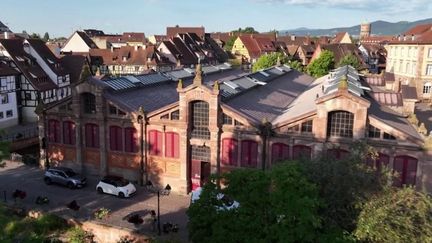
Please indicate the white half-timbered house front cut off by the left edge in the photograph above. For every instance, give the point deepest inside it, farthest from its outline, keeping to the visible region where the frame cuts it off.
(8, 98)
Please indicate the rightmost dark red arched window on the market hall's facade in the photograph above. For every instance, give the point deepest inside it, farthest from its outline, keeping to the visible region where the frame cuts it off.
(406, 167)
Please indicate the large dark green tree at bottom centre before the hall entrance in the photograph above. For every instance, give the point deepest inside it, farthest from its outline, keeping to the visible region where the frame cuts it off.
(277, 205)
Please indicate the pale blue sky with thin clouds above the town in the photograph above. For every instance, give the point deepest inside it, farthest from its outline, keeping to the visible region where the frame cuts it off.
(62, 17)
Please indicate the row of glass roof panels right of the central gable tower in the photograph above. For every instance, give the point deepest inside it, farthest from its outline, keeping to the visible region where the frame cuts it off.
(236, 86)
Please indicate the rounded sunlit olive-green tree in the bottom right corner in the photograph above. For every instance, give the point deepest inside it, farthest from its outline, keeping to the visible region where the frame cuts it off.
(398, 215)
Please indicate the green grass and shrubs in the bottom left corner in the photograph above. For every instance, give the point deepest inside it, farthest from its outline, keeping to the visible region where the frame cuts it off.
(47, 228)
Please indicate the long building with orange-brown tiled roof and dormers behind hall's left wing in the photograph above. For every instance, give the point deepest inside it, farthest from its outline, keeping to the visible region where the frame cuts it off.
(128, 60)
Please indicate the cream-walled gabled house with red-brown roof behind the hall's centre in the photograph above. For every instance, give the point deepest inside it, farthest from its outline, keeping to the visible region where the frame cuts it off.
(249, 48)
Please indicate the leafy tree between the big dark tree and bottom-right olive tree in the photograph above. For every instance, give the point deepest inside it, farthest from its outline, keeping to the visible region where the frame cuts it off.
(345, 184)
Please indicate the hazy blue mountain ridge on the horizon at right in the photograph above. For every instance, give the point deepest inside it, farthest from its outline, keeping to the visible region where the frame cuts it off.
(378, 28)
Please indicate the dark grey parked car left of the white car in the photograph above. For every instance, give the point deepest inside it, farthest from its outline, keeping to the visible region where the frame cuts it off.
(64, 176)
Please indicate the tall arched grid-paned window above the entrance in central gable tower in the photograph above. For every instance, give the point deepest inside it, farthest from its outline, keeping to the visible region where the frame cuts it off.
(200, 119)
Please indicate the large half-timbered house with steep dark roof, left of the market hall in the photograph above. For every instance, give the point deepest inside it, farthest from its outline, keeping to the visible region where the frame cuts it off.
(43, 76)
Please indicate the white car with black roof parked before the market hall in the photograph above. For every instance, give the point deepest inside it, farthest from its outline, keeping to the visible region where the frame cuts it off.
(117, 186)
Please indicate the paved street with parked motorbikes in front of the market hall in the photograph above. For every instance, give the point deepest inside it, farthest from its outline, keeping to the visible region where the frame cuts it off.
(30, 179)
